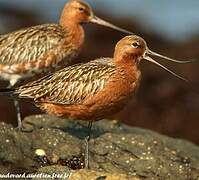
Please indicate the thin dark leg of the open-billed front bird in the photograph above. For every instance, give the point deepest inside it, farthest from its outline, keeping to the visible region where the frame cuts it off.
(87, 138)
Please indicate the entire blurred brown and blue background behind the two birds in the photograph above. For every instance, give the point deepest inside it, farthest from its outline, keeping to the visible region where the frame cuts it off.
(163, 103)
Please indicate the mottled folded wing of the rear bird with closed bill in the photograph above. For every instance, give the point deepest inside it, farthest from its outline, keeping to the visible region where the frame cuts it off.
(30, 44)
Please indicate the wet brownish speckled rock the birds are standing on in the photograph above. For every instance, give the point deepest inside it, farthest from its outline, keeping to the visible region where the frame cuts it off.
(116, 151)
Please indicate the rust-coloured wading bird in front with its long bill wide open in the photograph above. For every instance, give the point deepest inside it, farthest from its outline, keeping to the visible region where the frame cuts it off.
(94, 90)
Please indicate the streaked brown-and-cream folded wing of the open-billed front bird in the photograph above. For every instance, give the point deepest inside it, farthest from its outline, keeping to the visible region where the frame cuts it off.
(71, 85)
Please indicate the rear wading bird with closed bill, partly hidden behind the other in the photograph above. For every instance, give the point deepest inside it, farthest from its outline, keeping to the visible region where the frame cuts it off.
(45, 48)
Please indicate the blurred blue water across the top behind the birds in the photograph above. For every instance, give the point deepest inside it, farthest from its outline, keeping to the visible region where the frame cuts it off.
(176, 20)
